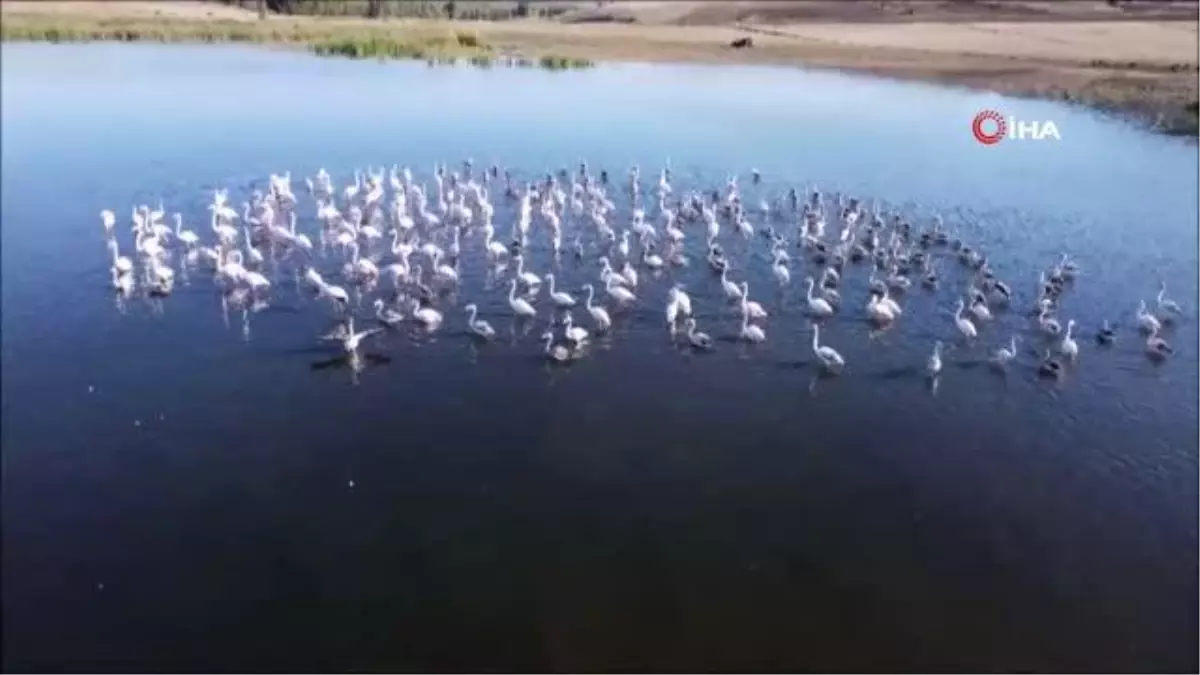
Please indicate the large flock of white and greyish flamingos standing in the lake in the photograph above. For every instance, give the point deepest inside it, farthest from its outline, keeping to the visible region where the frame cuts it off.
(385, 235)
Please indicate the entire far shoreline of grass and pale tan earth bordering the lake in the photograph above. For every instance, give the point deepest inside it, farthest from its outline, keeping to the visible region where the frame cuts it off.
(1145, 73)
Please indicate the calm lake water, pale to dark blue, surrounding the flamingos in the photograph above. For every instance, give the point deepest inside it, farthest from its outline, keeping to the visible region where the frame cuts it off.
(178, 495)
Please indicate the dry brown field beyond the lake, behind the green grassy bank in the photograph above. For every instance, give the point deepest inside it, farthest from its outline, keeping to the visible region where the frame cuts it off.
(1141, 57)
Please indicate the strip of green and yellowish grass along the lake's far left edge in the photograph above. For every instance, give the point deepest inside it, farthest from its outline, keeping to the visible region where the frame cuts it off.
(431, 44)
